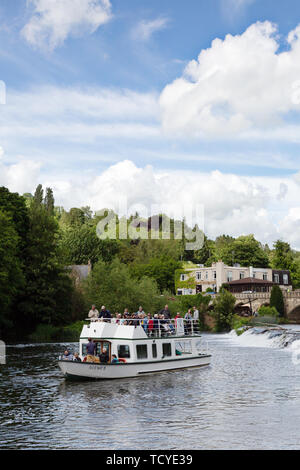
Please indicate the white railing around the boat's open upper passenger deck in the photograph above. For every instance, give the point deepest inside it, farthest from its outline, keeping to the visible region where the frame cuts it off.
(156, 327)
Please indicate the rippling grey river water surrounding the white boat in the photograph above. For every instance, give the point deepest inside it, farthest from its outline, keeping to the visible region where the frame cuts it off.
(249, 398)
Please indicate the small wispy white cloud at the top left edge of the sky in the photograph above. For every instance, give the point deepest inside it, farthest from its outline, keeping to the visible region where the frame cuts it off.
(54, 20)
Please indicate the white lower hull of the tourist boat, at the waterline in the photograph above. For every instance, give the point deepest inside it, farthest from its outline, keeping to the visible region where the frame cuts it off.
(85, 370)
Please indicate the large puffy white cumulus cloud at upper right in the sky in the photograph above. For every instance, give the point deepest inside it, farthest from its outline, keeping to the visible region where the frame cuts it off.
(238, 86)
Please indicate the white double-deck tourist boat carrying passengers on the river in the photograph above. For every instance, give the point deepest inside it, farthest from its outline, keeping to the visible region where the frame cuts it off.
(175, 345)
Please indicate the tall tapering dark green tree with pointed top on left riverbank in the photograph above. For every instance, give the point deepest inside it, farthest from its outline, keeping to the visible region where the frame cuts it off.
(46, 295)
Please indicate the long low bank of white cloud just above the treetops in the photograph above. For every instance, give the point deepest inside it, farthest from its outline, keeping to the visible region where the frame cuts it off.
(233, 205)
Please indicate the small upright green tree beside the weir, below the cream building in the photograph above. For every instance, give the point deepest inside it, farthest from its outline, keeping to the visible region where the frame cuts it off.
(223, 310)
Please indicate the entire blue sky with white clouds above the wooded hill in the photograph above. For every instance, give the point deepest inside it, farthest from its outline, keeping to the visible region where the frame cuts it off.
(159, 103)
